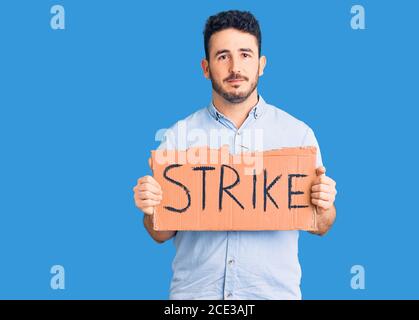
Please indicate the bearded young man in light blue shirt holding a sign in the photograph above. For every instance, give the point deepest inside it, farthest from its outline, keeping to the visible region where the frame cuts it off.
(238, 264)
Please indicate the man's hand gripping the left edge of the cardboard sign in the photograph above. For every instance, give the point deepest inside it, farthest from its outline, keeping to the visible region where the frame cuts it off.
(147, 194)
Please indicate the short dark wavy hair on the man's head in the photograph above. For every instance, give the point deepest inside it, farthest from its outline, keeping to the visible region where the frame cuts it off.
(240, 20)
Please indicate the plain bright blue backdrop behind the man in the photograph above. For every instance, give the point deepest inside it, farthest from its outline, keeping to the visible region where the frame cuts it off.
(79, 109)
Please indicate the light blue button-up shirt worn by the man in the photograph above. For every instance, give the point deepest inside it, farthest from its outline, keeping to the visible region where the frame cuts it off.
(238, 264)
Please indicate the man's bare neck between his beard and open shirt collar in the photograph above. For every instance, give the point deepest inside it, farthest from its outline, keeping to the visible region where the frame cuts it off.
(236, 112)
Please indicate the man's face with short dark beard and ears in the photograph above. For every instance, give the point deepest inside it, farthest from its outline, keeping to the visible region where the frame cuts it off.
(234, 65)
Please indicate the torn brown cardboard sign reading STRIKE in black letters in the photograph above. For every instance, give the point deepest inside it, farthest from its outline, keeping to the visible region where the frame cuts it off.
(210, 189)
